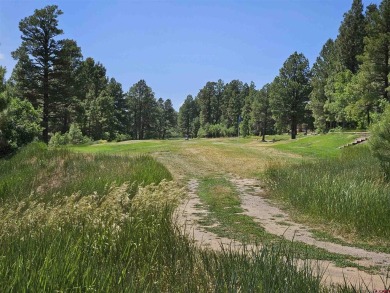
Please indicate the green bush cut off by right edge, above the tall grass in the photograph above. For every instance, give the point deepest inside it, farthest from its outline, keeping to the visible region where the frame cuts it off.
(380, 142)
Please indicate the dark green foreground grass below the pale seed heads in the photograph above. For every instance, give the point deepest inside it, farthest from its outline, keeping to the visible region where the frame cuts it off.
(147, 255)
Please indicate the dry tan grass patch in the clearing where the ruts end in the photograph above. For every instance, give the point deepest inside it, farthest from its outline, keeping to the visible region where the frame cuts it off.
(201, 158)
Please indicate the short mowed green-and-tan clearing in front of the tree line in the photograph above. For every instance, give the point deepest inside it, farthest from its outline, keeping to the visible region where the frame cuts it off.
(244, 157)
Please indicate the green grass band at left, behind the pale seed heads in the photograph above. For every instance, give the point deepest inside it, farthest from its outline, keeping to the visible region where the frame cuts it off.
(35, 170)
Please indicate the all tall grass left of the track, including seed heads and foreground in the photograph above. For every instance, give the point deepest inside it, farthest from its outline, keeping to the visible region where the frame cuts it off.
(116, 239)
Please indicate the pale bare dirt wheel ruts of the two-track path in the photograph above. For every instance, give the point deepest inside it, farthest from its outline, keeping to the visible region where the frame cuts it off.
(277, 222)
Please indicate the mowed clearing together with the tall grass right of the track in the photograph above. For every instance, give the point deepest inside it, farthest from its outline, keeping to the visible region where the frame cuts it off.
(322, 184)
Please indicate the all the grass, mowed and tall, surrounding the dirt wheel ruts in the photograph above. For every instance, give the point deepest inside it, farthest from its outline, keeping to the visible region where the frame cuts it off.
(99, 217)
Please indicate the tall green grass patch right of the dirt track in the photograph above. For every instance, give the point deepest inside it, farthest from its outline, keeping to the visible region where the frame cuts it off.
(349, 190)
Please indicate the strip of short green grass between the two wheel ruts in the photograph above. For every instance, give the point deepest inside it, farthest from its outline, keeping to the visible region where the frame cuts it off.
(223, 202)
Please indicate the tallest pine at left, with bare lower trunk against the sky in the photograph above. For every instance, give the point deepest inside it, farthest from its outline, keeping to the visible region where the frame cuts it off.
(35, 59)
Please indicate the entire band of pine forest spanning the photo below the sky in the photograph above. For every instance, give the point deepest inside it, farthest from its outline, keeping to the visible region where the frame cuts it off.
(56, 95)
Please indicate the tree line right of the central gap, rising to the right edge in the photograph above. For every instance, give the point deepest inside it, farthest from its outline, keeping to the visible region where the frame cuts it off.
(348, 87)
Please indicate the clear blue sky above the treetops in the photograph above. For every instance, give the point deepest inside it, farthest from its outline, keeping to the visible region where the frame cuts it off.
(177, 46)
